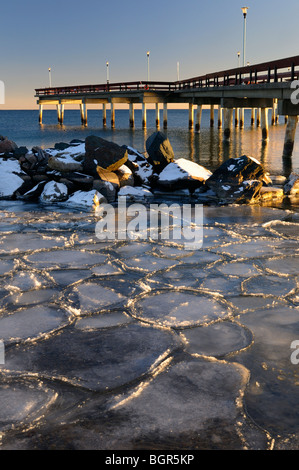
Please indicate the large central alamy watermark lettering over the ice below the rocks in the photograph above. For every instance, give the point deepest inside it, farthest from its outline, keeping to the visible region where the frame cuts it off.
(182, 223)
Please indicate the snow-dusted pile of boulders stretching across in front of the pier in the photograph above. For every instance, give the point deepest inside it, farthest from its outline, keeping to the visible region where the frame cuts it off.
(85, 173)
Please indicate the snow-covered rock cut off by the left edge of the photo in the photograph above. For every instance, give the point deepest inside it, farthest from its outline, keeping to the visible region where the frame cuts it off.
(10, 179)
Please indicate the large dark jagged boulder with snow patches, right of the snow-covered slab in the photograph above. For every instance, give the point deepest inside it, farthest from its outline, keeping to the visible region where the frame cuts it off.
(236, 170)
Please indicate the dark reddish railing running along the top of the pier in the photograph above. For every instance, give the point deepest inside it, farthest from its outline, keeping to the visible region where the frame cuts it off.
(276, 71)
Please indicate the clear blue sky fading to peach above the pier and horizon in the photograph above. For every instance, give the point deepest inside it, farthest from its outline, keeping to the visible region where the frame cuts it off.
(76, 38)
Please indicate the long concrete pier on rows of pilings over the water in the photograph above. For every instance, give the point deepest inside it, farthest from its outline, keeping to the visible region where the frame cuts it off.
(260, 87)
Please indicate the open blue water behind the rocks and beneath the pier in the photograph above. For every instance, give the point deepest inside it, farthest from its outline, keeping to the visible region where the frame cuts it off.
(206, 147)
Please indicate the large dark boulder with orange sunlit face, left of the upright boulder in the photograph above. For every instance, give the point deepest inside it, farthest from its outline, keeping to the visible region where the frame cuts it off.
(102, 153)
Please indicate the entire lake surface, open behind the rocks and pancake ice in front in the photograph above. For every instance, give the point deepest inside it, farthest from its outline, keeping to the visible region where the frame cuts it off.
(143, 344)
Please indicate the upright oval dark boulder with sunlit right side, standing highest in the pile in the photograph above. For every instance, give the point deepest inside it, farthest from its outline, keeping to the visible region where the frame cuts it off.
(159, 150)
